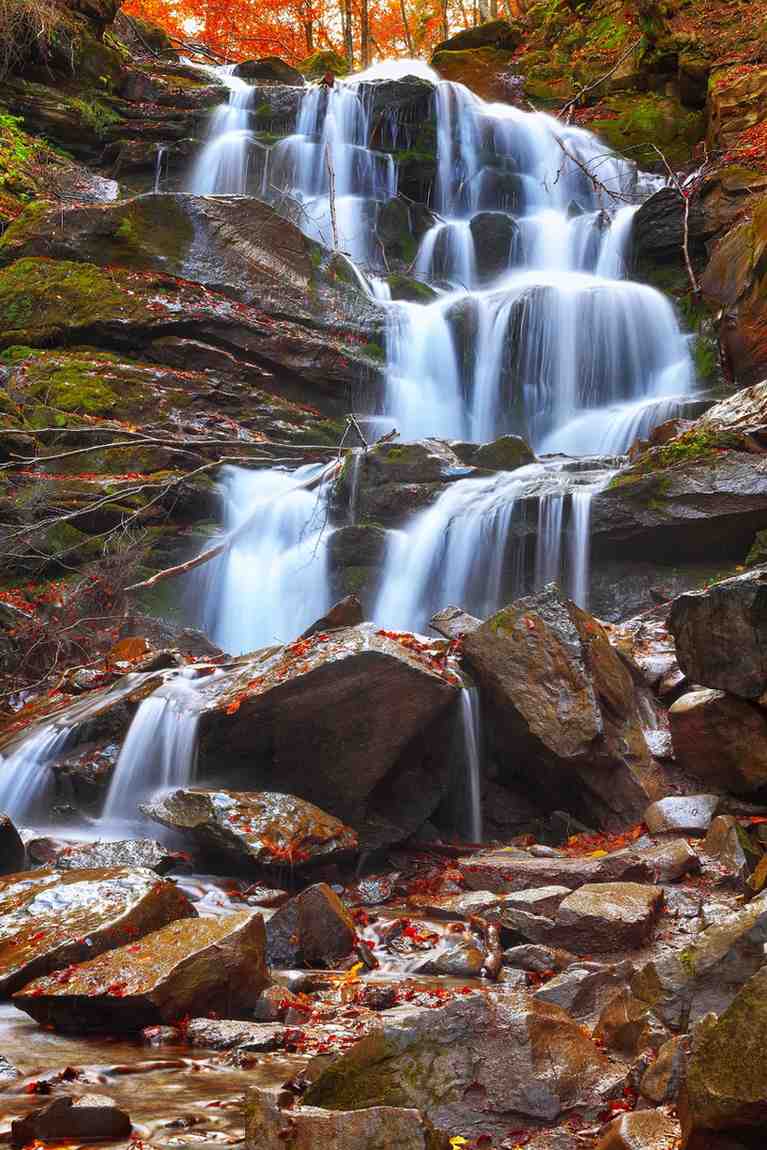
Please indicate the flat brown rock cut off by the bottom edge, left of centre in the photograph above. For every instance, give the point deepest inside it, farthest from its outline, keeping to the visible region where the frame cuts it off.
(267, 1128)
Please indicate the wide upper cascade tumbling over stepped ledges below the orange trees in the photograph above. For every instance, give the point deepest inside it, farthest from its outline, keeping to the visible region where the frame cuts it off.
(536, 329)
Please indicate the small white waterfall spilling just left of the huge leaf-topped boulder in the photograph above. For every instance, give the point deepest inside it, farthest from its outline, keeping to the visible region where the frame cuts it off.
(159, 752)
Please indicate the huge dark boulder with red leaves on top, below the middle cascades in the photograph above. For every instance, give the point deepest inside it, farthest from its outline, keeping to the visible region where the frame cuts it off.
(364, 708)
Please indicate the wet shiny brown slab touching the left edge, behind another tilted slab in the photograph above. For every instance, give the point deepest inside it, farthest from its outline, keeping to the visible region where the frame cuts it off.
(50, 921)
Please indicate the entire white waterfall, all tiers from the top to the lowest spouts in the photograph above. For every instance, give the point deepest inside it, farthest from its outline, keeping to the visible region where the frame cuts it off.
(534, 329)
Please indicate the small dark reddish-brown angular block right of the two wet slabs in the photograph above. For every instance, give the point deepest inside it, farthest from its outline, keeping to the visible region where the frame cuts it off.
(315, 930)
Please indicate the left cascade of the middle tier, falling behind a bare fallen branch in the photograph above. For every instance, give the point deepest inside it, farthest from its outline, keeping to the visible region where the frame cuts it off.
(273, 582)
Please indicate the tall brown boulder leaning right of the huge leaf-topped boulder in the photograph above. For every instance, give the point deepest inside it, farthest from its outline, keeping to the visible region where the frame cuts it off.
(563, 703)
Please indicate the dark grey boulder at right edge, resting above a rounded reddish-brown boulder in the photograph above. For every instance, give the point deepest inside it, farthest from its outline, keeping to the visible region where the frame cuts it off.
(722, 634)
